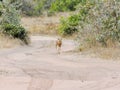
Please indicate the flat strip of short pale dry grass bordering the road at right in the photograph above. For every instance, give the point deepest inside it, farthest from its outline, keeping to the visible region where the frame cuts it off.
(109, 53)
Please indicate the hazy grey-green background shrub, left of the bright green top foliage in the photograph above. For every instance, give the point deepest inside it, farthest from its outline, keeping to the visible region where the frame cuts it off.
(35, 7)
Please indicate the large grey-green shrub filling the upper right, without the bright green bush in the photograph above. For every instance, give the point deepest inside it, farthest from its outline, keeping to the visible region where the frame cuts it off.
(100, 23)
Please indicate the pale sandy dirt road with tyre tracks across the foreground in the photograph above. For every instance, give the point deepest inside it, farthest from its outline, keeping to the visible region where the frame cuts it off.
(39, 67)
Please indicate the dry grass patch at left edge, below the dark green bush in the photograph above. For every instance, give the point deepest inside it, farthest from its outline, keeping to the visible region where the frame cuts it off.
(7, 42)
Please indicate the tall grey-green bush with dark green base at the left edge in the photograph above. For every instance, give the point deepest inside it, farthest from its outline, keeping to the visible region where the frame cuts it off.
(10, 23)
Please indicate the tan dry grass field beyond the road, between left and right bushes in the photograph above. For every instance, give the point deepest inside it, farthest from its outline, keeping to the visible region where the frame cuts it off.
(41, 25)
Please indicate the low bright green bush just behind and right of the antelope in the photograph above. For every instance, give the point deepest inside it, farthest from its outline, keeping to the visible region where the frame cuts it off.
(69, 26)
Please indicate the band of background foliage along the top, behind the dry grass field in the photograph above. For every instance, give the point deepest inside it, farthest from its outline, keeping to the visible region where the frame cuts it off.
(38, 7)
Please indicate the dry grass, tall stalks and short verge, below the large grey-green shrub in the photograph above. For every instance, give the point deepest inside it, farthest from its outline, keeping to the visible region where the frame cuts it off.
(93, 48)
